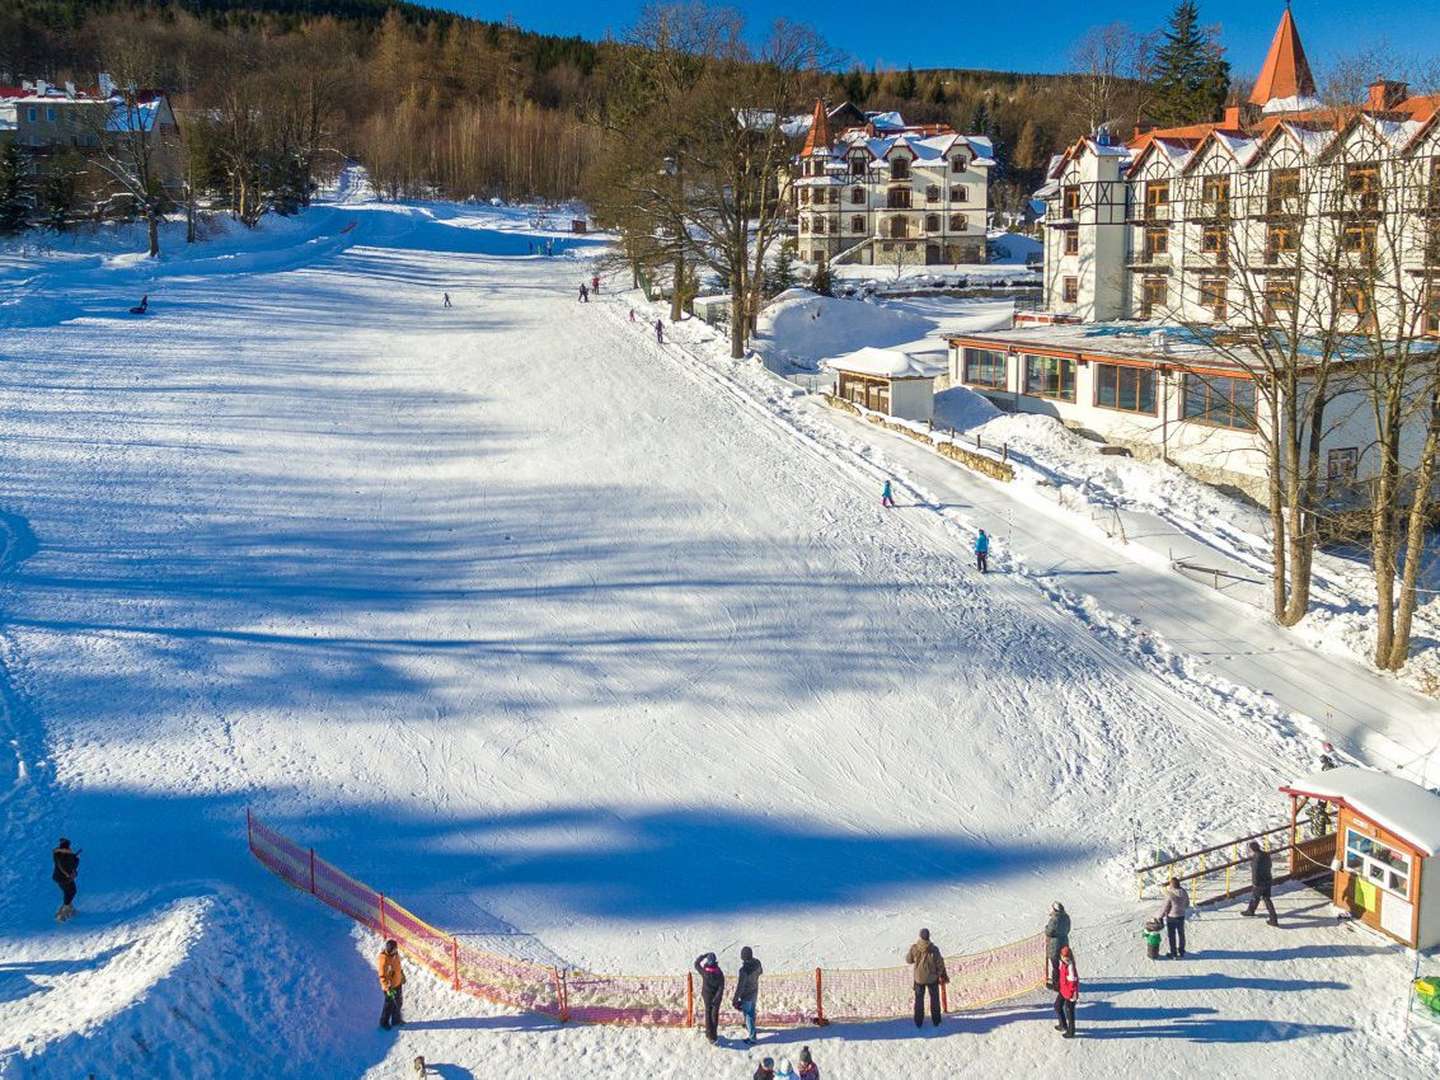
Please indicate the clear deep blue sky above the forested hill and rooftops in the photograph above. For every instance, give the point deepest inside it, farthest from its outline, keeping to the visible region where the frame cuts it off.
(1032, 37)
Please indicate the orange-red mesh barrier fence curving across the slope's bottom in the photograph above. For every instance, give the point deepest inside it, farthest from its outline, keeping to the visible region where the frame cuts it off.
(787, 999)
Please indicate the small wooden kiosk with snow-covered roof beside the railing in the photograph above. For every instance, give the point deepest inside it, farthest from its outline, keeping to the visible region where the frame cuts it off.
(1386, 868)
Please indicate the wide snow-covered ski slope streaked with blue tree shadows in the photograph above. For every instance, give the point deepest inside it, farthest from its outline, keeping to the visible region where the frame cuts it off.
(571, 643)
